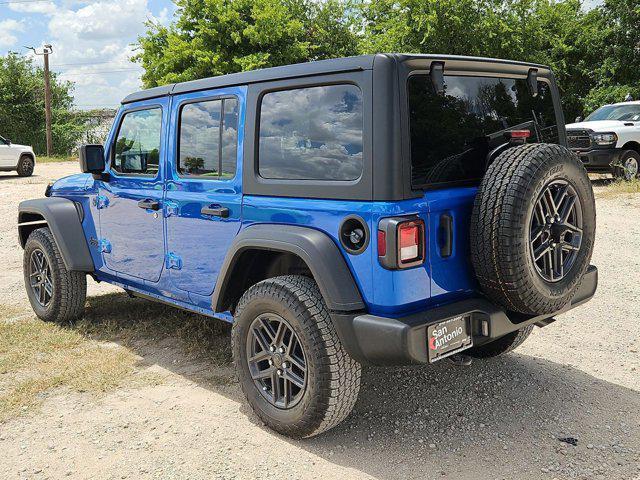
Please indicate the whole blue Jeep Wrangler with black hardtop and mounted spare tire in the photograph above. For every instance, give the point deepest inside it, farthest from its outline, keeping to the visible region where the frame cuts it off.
(385, 209)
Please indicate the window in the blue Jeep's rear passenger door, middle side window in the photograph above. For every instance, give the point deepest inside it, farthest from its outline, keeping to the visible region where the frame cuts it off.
(209, 139)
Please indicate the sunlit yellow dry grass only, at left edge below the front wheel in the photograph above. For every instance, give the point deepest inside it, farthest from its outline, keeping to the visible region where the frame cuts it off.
(37, 357)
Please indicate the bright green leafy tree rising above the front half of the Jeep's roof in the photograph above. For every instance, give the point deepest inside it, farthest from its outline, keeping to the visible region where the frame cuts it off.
(216, 37)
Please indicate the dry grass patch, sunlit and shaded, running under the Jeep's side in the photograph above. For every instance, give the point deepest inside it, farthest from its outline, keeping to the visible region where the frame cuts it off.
(96, 354)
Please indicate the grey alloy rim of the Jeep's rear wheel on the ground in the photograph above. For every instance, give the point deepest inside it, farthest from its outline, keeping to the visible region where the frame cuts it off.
(276, 361)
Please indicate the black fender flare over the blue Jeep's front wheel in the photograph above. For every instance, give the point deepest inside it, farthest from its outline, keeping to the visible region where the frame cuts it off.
(63, 219)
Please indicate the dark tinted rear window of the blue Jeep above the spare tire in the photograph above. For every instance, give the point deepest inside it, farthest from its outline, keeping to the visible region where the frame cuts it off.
(452, 134)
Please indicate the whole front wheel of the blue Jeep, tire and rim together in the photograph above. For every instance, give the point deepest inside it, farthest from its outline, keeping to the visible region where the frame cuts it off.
(55, 294)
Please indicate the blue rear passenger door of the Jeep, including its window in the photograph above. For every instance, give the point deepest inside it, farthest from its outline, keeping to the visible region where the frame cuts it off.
(203, 200)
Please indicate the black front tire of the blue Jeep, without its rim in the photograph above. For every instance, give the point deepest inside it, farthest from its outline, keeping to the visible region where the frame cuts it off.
(69, 289)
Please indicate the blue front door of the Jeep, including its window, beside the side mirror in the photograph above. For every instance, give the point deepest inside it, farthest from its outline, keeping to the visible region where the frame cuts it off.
(130, 201)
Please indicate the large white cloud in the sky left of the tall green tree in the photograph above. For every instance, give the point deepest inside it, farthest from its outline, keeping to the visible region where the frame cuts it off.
(92, 45)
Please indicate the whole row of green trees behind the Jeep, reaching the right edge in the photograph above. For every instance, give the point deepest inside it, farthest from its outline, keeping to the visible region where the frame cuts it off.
(595, 54)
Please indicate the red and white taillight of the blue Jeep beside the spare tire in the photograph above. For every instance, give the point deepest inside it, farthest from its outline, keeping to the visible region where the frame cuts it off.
(401, 242)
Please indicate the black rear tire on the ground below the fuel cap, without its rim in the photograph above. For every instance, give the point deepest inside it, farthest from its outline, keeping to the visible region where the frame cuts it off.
(333, 377)
